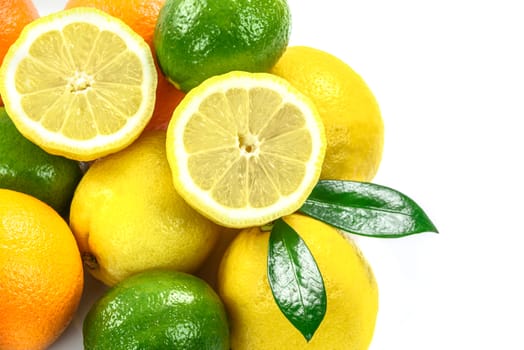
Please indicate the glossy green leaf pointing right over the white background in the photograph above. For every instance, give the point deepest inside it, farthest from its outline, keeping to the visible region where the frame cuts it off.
(366, 209)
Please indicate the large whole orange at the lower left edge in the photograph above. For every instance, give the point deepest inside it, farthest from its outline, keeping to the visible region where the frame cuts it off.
(41, 277)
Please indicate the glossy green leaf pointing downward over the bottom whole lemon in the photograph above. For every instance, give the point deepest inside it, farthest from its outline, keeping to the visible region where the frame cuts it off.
(295, 280)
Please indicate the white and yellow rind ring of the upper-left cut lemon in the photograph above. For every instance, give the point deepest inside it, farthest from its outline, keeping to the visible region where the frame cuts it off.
(56, 143)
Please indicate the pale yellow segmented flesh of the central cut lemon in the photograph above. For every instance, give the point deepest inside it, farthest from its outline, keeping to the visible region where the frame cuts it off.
(267, 147)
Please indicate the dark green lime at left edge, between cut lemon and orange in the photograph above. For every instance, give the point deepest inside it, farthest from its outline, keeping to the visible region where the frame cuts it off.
(25, 167)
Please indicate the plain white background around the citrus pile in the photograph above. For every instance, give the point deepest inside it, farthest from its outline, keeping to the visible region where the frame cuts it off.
(449, 78)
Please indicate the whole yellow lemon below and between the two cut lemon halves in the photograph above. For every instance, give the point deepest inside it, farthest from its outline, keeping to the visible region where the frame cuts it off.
(127, 215)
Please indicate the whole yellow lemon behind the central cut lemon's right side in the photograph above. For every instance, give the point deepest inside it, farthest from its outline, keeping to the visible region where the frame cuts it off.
(349, 111)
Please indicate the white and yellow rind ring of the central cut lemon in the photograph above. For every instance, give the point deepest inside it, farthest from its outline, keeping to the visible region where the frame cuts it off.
(200, 199)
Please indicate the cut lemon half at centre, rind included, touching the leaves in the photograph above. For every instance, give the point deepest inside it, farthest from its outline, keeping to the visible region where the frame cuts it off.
(245, 148)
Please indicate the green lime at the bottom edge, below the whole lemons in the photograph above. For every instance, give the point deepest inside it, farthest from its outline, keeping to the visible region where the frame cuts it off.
(158, 309)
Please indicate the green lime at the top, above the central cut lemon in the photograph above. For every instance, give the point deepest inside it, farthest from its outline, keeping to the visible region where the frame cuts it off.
(197, 39)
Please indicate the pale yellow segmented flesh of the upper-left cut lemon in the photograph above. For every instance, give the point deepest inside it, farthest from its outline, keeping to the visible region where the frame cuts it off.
(83, 85)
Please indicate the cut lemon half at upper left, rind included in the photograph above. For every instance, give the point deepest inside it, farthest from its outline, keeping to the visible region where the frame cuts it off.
(79, 83)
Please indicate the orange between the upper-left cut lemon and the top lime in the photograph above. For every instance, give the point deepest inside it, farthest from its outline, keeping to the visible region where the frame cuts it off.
(141, 16)
